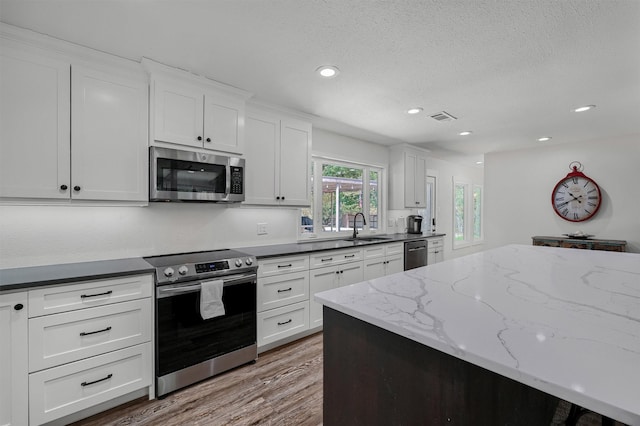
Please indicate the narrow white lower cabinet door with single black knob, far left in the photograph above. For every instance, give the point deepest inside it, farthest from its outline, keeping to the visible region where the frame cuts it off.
(14, 365)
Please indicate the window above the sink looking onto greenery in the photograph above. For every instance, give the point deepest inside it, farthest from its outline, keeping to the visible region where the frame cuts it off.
(339, 191)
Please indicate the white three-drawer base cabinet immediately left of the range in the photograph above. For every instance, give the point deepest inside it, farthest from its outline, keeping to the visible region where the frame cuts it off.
(89, 342)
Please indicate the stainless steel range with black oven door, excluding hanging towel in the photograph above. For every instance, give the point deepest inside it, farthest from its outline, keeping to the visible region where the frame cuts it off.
(188, 347)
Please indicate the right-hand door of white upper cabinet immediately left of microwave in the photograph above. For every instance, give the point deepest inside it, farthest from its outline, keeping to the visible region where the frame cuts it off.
(109, 136)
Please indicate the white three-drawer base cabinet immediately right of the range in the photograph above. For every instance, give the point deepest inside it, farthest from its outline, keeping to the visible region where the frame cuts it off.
(282, 299)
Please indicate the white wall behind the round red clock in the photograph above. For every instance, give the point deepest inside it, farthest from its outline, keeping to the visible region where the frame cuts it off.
(518, 187)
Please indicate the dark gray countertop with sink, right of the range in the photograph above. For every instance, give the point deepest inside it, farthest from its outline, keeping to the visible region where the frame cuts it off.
(275, 250)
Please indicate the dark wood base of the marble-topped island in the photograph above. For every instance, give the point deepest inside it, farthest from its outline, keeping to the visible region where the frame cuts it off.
(376, 377)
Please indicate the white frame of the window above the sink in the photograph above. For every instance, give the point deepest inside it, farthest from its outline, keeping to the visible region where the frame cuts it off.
(318, 161)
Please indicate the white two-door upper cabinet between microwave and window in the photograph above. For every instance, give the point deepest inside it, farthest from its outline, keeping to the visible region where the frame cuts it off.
(278, 158)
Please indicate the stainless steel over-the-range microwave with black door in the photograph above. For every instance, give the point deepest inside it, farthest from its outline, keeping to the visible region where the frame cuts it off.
(177, 175)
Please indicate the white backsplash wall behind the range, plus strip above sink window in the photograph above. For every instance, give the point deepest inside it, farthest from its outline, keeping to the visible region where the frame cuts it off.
(42, 235)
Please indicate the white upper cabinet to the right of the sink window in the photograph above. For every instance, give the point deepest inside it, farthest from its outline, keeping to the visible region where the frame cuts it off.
(408, 168)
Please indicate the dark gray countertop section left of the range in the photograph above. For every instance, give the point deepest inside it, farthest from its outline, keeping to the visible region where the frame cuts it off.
(35, 276)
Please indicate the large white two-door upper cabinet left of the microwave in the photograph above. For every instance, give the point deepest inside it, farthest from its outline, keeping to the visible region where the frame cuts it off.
(69, 131)
